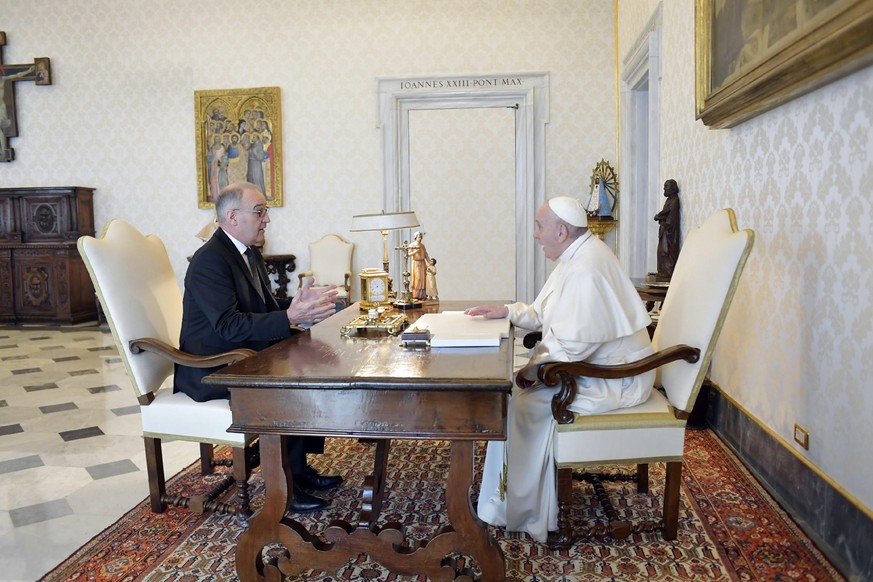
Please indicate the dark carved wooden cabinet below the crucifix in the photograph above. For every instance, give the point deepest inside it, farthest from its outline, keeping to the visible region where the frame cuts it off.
(42, 276)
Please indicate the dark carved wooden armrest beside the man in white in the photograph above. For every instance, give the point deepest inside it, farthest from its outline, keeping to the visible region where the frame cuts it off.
(565, 373)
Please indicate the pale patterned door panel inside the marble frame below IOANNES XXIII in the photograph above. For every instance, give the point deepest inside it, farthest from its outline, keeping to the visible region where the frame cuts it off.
(462, 188)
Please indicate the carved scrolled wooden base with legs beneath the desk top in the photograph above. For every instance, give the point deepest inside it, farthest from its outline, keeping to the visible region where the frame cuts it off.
(385, 544)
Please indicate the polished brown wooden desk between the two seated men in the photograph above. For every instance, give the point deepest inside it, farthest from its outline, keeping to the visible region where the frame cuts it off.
(321, 383)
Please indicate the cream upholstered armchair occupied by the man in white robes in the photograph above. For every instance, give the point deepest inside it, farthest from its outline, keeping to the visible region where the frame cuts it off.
(692, 314)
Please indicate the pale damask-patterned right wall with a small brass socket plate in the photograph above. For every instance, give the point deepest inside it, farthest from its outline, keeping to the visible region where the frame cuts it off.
(798, 344)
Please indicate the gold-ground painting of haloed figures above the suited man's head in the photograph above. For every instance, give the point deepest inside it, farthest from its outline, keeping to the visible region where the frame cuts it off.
(238, 139)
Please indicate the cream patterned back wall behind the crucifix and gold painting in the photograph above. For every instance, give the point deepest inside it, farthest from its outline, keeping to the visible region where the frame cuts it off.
(120, 115)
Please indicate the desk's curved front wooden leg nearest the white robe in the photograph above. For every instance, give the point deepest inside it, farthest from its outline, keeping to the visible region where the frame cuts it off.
(473, 538)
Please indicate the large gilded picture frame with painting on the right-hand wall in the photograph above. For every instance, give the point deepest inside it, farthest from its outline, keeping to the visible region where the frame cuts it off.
(754, 55)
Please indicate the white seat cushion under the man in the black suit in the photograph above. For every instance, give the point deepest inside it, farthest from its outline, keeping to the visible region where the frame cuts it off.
(177, 416)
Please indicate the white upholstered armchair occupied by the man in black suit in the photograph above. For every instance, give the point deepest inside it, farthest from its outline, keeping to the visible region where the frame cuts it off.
(140, 295)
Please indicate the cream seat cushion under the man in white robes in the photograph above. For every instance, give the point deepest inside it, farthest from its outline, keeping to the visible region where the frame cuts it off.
(647, 433)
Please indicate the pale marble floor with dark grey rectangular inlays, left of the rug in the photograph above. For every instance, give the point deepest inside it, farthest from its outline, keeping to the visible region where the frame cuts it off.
(57, 494)
